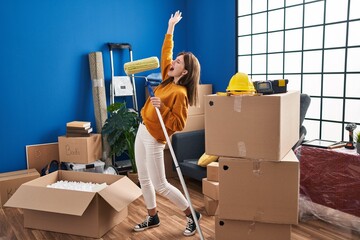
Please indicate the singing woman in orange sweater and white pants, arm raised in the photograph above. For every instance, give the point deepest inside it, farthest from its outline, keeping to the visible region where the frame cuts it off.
(173, 96)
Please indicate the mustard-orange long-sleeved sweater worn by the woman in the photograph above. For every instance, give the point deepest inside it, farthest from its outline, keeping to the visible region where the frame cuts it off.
(174, 107)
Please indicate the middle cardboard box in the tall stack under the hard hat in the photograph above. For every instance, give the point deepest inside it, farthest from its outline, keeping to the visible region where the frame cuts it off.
(264, 191)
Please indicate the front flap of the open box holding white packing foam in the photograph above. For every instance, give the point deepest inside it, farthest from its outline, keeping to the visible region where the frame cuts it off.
(50, 200)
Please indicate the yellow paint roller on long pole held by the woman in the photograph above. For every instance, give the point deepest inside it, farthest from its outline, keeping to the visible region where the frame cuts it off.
(147, 64)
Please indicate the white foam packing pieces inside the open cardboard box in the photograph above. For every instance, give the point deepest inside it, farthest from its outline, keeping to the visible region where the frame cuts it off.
(78, 186)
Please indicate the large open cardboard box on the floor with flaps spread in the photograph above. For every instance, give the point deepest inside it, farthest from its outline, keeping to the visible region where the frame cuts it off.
(89, 214)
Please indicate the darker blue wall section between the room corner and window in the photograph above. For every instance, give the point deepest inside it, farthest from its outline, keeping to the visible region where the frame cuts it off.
(211, 36)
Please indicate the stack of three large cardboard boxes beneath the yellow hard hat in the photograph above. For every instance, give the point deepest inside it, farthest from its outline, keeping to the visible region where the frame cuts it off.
(258, 171)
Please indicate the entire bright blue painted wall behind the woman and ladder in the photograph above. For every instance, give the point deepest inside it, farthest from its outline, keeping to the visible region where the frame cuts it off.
(44, 46)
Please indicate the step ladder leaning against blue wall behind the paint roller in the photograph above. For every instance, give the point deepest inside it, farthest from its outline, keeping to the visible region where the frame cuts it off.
(122, 86)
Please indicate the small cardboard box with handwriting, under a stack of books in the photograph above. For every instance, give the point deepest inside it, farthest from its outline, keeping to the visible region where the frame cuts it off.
(80, 149)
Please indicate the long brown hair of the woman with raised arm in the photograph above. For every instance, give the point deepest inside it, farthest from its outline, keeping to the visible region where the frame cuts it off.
(191, 79)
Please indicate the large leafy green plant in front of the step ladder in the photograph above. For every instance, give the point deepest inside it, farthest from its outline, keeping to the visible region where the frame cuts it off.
(120, 130)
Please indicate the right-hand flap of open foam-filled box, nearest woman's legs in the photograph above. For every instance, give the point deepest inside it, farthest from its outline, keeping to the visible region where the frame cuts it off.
(121, 193)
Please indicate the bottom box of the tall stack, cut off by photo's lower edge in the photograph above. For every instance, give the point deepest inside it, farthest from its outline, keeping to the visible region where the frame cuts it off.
(235, 229)
